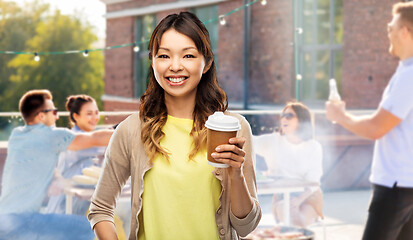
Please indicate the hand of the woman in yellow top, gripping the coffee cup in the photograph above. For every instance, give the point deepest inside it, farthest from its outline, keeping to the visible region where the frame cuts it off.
(231, 154)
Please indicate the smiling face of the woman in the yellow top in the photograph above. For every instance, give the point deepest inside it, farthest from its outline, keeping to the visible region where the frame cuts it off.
(178, 65)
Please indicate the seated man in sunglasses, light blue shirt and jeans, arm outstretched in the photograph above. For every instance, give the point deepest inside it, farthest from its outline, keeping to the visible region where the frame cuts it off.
(32, 154)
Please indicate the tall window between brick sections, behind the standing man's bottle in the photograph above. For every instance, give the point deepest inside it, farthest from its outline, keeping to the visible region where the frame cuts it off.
(319, 47)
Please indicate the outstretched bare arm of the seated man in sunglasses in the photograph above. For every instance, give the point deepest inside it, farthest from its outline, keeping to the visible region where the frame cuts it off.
(92, 139)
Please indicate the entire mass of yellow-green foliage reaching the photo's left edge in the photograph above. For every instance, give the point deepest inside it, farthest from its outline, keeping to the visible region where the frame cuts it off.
(42, 31)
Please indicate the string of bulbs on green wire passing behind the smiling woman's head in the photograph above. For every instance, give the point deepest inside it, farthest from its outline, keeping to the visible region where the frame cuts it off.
(220, 19)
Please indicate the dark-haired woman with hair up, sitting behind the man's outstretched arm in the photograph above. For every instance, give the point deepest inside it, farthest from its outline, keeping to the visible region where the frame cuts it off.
(84, 116)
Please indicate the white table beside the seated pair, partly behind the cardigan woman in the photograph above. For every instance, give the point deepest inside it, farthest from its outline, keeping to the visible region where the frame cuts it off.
(86, 194)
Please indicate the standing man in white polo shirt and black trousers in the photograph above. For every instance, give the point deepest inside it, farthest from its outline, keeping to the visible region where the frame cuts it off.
(391, 207)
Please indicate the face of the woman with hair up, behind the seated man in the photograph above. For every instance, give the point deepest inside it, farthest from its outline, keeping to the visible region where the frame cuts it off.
(88, 117)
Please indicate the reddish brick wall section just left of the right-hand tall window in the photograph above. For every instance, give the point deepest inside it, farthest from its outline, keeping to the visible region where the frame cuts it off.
(271, 53)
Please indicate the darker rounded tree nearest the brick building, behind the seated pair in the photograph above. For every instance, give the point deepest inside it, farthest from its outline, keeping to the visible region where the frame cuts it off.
(63, 74)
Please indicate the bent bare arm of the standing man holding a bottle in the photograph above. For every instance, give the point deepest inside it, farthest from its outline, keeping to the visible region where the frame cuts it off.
(372, 126)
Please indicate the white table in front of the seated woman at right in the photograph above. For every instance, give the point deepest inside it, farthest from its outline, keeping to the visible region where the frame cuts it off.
(284, 186)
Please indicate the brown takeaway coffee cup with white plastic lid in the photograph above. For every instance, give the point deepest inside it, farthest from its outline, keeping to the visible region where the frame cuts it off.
(220, 128)
